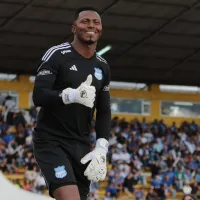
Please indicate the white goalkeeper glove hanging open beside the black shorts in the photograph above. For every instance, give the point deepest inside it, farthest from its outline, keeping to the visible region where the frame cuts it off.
(96, 170)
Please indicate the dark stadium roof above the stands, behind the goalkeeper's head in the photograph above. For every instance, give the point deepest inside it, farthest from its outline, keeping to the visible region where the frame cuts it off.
(153, 41)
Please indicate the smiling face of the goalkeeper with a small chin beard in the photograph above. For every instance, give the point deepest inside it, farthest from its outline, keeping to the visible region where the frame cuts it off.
(88, 28)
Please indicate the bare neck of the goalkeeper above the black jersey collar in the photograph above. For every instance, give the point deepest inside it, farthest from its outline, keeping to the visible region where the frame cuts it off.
(85, 50)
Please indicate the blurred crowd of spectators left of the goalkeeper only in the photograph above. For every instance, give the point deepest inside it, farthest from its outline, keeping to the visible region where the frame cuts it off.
(16, 150)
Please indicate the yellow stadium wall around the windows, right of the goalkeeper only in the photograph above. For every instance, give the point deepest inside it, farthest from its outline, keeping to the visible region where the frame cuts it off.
(155, 96)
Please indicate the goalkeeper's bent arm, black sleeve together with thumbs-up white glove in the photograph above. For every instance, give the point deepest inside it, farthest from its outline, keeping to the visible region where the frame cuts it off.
(44, 95)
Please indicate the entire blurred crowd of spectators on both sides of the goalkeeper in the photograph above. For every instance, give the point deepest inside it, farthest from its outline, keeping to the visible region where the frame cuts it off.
(161, 160)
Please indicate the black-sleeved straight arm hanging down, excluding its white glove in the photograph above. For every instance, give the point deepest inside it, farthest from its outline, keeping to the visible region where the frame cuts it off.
(103, 115)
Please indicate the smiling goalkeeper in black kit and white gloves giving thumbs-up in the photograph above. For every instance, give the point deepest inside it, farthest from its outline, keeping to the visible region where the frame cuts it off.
(71, 82)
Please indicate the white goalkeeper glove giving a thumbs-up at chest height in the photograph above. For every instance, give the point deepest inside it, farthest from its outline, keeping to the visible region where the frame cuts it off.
(84, 94)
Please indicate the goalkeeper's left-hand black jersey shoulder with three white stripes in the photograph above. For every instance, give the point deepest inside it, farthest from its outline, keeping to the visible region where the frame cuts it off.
(56, 51)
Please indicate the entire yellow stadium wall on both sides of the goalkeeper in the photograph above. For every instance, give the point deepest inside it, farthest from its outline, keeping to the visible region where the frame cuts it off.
(24, 87)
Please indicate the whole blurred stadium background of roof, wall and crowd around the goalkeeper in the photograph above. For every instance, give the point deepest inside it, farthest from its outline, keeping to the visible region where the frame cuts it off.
(153, 48)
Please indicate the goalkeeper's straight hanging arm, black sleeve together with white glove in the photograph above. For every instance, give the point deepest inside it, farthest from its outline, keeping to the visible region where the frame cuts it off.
(97, 169)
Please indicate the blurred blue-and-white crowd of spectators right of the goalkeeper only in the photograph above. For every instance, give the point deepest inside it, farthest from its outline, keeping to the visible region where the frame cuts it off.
(166, 160)
